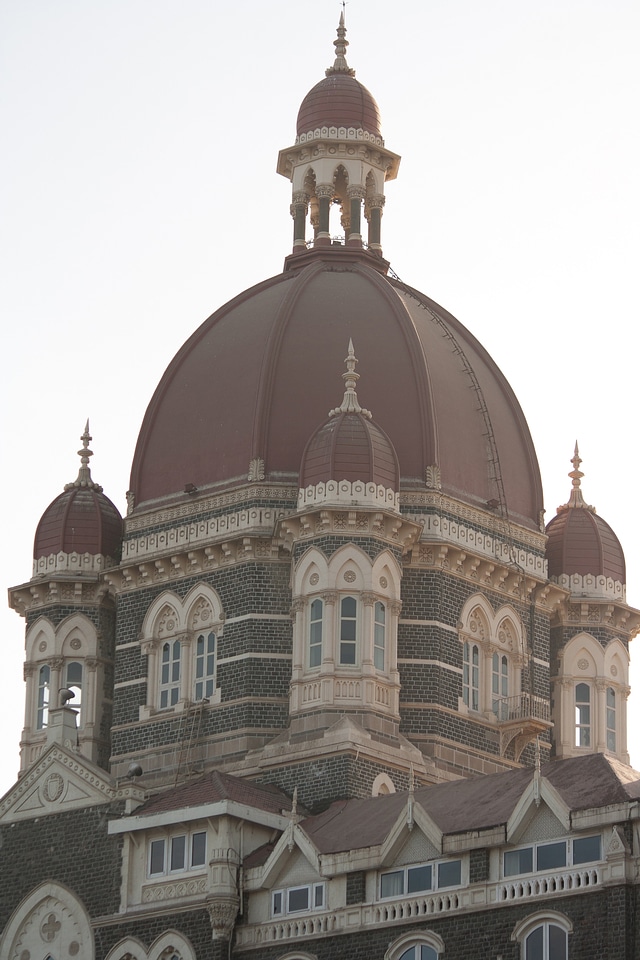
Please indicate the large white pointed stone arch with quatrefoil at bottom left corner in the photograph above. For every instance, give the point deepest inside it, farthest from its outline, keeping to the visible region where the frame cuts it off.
(52, 918)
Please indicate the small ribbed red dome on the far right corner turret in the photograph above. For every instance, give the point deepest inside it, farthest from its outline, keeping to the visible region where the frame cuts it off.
(581, 542)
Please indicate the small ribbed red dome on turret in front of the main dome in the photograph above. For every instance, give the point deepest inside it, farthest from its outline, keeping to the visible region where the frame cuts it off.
(350, 447)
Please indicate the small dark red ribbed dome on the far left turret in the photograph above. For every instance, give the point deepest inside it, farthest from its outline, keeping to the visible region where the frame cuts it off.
(81, 520)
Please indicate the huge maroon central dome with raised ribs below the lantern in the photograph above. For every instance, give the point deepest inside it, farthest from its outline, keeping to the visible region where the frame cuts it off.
(259, 375)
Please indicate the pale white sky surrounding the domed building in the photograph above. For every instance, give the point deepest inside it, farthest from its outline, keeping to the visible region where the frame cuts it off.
(138, 193)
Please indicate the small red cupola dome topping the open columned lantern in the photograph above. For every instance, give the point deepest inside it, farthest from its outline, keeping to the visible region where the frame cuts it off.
(339, 101)
